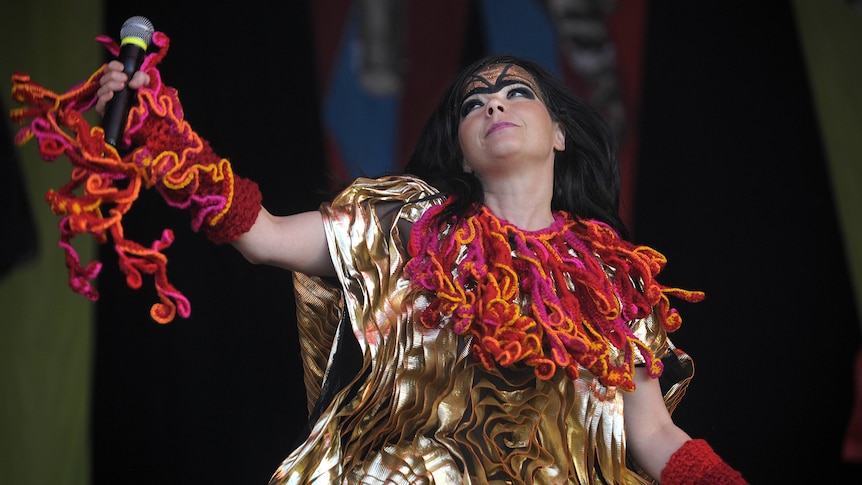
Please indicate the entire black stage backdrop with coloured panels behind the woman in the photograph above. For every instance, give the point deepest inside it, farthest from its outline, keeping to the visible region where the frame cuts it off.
(726, 143)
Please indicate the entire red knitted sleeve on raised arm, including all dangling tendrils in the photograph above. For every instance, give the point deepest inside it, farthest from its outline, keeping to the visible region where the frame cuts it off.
(103, 186)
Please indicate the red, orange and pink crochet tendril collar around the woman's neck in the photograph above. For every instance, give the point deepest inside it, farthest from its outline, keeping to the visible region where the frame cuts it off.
(480, 269)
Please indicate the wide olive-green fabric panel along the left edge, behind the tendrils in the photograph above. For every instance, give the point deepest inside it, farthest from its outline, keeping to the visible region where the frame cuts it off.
(46, 330)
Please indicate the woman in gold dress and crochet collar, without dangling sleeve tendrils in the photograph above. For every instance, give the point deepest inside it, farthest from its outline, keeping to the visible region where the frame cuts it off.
(482, 320)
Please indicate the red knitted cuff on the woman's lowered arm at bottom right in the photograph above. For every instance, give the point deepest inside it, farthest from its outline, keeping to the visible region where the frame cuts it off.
(695, 463)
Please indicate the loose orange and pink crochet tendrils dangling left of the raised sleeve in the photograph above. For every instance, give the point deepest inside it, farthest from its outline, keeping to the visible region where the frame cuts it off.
(103, 185)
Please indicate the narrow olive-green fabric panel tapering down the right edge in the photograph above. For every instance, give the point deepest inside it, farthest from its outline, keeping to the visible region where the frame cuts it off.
(831, 37)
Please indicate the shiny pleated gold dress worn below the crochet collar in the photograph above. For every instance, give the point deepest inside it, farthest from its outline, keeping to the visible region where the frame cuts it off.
(423, 411)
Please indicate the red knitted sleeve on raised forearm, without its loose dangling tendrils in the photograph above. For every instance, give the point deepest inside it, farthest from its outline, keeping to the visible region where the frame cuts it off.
(184, 168)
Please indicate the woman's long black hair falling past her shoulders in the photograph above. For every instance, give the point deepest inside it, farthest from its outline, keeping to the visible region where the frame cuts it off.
(586, 173)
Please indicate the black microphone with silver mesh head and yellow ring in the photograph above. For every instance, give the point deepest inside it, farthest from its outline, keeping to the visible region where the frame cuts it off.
(136, 34)
